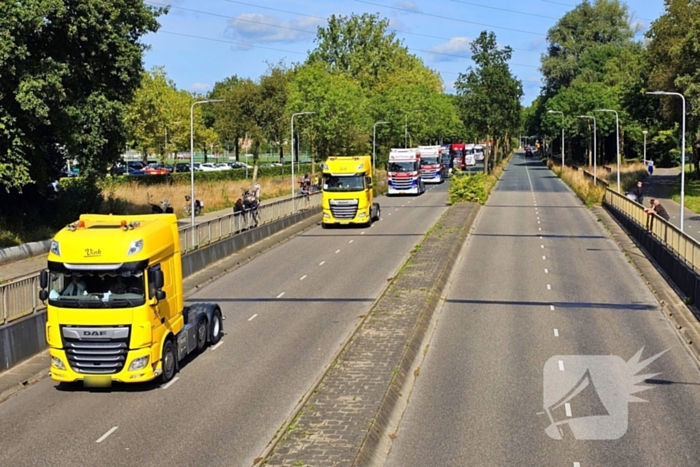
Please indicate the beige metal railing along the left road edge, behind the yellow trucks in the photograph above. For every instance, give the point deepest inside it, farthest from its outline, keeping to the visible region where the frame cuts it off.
(19, 297)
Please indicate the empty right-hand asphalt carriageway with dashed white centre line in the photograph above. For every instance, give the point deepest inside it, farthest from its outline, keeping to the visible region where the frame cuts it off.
(527, 311)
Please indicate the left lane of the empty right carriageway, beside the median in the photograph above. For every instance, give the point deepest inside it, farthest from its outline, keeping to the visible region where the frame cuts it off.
(469, 398)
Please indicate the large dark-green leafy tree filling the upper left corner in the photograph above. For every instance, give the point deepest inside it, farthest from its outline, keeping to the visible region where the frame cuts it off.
(68, 69)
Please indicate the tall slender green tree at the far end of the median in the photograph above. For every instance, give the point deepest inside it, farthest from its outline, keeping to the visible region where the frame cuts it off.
(489, 93)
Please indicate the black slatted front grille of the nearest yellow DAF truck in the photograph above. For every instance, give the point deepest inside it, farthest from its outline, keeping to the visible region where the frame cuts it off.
(97, 355)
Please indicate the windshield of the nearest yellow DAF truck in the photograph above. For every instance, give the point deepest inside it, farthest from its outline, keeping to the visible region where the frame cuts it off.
(96, 289)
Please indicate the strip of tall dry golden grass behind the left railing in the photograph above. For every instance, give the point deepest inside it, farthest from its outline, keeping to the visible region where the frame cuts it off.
(135, 199)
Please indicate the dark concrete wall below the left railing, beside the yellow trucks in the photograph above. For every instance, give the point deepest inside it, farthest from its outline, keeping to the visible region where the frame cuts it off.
(25, 337)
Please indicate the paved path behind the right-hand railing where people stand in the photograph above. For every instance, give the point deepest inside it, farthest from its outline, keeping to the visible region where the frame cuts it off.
(658, 186)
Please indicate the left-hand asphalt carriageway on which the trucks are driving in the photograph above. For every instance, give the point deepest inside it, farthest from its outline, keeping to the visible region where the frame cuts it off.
(287, 313)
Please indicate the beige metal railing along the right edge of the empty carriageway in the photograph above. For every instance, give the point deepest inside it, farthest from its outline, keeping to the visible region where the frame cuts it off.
(682, 245)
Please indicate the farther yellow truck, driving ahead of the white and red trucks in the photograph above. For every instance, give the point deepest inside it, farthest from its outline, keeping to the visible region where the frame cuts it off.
(347, 191)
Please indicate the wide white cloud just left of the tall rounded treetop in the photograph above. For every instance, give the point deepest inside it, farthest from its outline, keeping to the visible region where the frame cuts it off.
(254, 27)
